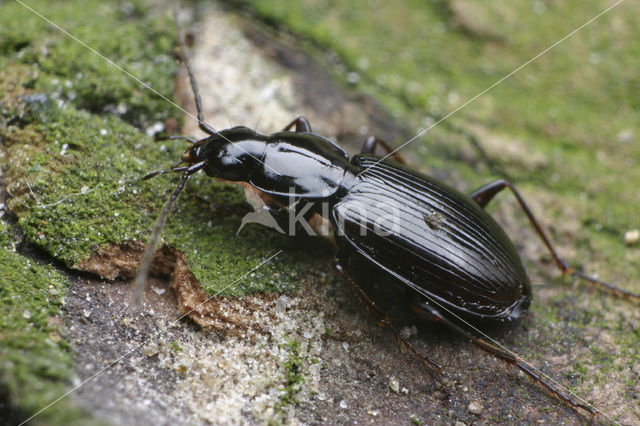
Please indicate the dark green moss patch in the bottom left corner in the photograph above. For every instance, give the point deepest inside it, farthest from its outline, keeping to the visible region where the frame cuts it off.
(35, 362)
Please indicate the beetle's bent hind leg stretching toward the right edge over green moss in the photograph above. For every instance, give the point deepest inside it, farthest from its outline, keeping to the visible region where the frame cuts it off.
(485, 194)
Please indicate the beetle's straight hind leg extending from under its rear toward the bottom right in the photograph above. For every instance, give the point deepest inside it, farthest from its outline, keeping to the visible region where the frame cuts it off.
(426, 310)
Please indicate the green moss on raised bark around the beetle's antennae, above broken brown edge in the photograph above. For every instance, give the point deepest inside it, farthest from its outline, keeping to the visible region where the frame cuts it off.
(74, 171)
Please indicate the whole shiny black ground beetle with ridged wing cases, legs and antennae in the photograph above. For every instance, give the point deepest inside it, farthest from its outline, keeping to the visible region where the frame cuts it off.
(446, 248)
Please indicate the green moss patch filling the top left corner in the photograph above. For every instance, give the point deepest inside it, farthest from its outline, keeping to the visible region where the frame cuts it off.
(72, 73)
